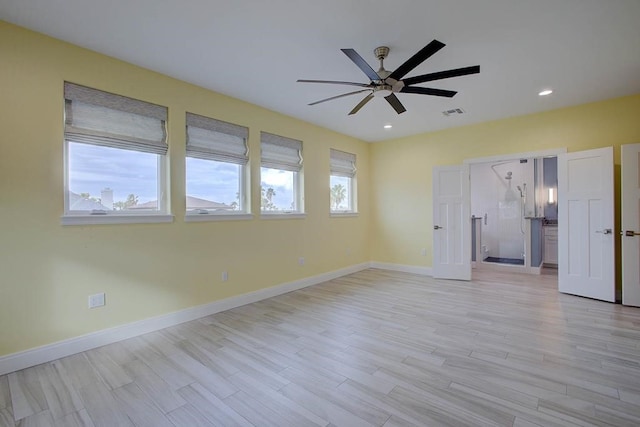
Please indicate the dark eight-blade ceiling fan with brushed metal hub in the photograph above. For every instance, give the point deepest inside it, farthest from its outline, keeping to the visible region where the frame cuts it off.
(386, 83)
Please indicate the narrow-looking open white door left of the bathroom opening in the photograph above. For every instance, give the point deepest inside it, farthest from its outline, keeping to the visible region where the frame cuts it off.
(451, 223)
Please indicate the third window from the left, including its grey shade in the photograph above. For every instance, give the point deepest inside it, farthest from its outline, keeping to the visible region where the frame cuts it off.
(280, 174)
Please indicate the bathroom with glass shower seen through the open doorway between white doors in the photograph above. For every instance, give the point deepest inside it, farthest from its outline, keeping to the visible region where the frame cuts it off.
(514, 214)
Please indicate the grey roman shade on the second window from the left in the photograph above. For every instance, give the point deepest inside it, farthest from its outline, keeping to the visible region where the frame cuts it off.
(212, 139)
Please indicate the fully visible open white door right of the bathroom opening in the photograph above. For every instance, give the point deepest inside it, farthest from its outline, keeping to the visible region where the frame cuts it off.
(586, 243)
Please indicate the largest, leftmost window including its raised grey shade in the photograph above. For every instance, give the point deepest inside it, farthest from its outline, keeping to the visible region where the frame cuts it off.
(115, 158)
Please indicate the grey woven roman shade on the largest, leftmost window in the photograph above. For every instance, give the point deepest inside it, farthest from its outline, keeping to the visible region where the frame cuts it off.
(101, 118)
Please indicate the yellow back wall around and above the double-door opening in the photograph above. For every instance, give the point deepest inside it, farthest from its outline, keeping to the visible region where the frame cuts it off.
(401, 196)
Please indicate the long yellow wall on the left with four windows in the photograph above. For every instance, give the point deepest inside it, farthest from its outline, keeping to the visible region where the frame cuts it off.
(47, 270)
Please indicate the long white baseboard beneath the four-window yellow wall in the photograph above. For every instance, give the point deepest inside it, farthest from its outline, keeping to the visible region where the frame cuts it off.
(35, 356)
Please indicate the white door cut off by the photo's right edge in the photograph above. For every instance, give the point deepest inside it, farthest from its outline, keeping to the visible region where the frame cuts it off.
(631, 225)
